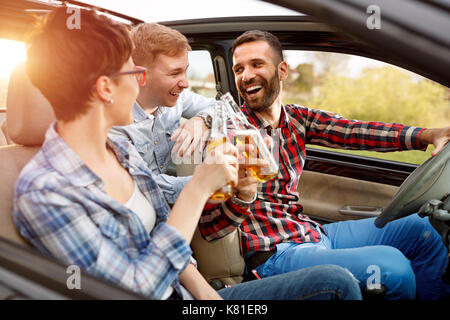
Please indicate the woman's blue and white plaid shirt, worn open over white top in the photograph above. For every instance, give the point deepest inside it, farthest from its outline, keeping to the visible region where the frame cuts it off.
(61, 207)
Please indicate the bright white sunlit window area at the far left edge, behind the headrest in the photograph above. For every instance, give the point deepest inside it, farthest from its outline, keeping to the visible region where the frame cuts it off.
(11, 54)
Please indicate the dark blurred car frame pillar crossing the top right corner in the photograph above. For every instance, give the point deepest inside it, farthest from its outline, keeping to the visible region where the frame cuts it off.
(416, 32)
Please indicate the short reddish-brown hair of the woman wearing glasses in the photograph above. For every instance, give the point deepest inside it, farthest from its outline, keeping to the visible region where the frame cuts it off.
(64, 63)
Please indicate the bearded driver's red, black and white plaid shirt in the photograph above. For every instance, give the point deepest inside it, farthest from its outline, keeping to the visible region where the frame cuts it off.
(276, 214)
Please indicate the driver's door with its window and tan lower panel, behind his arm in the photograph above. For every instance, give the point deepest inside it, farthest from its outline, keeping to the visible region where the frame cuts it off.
(338, 185)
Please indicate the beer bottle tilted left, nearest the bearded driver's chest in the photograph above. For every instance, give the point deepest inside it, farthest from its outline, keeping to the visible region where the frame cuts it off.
(246, 133)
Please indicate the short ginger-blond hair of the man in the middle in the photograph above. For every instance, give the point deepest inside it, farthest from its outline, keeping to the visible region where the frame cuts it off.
(151, 39)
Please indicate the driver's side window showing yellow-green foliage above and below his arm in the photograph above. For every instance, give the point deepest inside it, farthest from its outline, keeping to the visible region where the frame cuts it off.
(366, 89)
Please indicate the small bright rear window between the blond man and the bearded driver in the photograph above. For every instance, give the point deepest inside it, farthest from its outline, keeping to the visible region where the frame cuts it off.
(201, 73)
